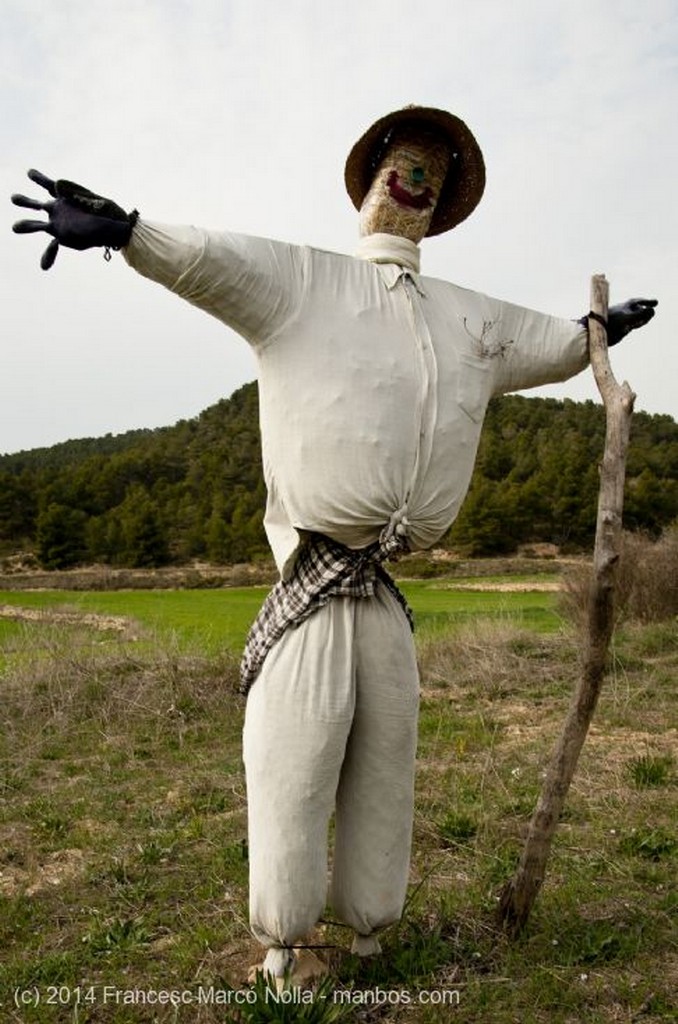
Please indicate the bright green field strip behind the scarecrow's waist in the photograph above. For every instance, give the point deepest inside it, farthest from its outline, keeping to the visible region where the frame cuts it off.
(215, 619)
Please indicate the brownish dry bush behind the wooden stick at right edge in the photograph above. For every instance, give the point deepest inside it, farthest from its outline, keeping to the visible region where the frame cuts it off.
(647, 581)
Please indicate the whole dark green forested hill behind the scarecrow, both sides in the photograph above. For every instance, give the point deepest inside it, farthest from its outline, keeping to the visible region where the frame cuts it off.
(196, 491)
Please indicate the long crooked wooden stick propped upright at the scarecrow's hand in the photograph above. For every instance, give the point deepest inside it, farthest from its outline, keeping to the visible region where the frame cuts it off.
(521, 892)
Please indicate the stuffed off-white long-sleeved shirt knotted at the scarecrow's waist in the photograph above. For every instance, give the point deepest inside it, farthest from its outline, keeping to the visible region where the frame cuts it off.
(373, 380)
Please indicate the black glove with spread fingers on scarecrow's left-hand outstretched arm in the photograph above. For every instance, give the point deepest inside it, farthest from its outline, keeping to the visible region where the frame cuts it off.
(78, 219)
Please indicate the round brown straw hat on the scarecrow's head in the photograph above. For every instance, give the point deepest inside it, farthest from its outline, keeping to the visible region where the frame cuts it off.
(467, 179)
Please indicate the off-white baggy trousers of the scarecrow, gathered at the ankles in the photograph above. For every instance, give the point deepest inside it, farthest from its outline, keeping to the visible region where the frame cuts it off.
(331, 727)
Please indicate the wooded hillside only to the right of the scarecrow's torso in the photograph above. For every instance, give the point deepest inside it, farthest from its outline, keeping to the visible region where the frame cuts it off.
(536, 478)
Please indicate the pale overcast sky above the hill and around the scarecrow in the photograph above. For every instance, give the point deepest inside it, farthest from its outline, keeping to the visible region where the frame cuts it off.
(239, 114)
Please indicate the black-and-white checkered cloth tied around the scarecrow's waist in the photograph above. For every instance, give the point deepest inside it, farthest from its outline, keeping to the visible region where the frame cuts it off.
(324, 570)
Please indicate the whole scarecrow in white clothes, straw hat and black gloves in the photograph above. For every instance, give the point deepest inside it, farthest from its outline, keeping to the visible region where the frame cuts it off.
(374, 382)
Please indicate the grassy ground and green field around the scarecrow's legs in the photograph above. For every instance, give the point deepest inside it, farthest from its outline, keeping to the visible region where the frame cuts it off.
(123, 855)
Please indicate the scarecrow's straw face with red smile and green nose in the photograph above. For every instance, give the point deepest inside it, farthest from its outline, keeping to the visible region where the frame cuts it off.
(407, 186)
